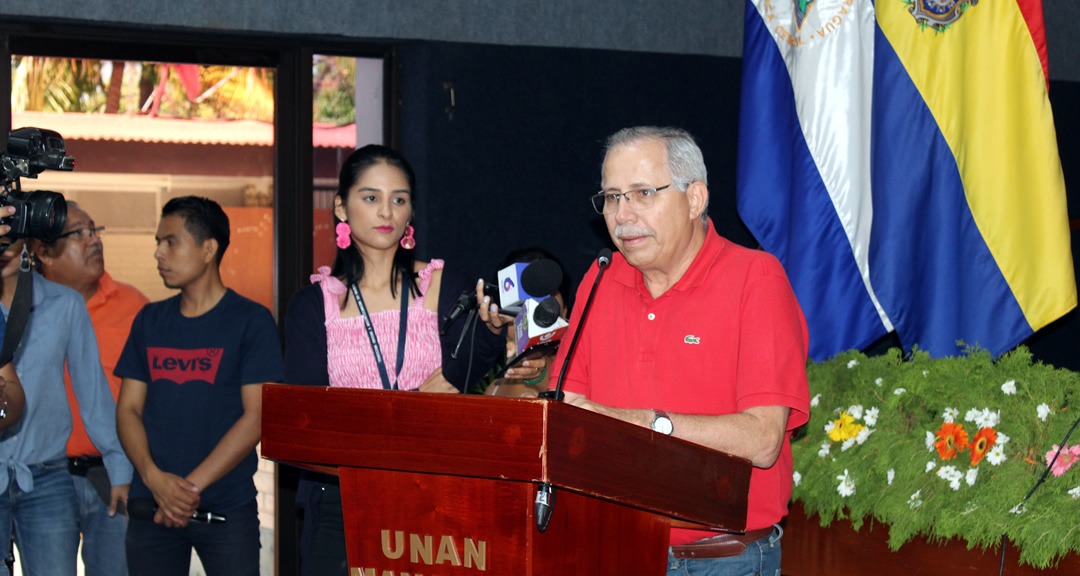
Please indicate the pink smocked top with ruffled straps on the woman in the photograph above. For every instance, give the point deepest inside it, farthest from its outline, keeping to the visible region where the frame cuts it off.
(349, 354)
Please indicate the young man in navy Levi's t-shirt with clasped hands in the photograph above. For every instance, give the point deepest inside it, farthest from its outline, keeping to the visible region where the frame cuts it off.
(191, 405)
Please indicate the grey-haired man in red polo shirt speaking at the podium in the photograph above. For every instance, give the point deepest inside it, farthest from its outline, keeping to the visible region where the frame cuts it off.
(694, 337)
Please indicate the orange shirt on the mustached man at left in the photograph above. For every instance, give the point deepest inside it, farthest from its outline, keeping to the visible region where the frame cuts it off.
(113, 311)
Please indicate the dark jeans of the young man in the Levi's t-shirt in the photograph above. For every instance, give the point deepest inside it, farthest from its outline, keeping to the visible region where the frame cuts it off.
(231, 548)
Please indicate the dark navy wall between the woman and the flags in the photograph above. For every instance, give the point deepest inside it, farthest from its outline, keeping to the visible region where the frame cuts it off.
(514, 164)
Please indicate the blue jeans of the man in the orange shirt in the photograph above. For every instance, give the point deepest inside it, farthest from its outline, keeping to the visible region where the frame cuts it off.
(103, 538)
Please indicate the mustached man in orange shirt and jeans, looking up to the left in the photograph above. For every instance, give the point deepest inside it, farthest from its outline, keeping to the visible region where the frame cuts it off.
(76, 260)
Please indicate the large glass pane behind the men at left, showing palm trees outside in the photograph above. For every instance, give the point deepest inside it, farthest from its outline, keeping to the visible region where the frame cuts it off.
(143, 133)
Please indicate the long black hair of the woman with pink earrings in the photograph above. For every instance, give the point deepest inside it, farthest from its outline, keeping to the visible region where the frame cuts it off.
(349, 264)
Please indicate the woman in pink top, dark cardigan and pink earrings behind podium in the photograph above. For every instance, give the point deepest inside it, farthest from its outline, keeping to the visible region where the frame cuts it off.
(331, 342)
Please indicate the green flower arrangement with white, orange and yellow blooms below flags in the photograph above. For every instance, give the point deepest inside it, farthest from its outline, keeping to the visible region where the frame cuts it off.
(947, 449)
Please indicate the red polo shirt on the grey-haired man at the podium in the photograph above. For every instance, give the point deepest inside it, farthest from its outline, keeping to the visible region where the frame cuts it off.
(728, 337)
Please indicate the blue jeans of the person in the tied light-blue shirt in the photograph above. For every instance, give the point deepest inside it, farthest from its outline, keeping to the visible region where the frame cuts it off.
(46, 521)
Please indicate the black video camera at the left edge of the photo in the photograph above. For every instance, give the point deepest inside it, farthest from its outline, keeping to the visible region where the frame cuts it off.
(38, 215)
